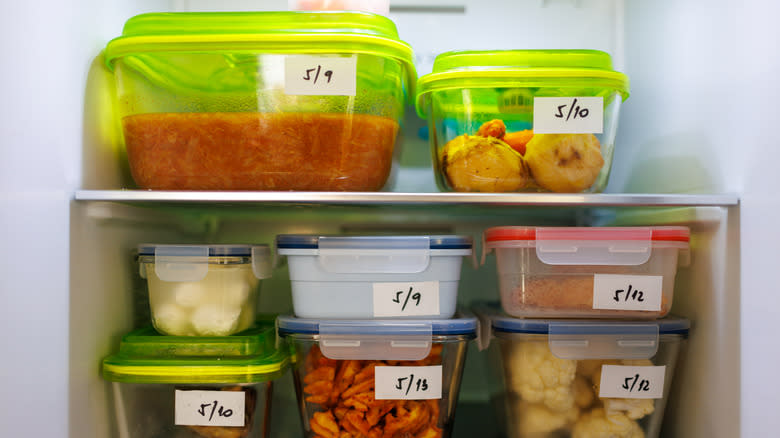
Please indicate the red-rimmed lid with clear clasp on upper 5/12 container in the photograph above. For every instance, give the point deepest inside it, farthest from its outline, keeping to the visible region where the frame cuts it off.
(620, 246)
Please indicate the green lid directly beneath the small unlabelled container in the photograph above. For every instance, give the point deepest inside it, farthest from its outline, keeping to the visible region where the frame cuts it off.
(145, 356)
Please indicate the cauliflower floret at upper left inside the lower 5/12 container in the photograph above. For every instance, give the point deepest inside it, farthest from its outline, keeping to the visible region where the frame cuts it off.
(539, 377)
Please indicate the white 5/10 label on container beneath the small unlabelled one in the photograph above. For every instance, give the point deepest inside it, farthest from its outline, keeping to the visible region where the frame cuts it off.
(209, 408)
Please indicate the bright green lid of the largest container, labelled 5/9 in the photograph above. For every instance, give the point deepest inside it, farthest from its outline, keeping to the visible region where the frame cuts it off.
(280, 32)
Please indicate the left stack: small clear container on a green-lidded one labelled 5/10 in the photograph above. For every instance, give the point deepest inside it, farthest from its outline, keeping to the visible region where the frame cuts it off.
(206, 367)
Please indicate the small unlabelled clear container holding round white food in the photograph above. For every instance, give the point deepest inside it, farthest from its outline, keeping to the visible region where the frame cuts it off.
(203, 290)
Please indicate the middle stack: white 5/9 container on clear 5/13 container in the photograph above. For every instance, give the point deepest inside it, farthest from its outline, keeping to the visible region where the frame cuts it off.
(377, 350)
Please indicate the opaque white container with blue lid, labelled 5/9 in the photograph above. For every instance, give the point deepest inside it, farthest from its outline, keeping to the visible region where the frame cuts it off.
(374, 276)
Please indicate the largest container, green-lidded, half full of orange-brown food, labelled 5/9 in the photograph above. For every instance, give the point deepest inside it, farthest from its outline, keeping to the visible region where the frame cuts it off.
(261, 100)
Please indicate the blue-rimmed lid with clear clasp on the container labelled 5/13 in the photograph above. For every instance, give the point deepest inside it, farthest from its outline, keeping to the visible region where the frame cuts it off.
(378, 339)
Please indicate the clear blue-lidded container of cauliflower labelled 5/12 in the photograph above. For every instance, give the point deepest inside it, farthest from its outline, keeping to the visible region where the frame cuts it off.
(581, 378)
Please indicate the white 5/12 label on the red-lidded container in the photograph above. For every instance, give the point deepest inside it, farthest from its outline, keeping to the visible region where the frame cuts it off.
(627, 292)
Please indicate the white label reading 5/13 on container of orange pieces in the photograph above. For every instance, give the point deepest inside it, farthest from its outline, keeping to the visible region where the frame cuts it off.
(408, 383)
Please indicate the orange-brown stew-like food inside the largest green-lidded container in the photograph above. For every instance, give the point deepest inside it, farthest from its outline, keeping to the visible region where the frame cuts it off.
(260, 151)
